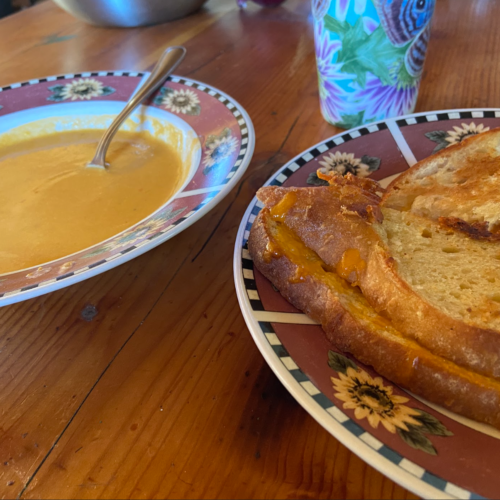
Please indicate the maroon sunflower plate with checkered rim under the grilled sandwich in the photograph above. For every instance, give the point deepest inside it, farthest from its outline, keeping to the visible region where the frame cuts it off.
(444, 455)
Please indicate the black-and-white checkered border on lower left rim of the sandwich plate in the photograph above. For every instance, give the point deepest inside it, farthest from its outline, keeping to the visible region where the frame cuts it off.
(312, 391)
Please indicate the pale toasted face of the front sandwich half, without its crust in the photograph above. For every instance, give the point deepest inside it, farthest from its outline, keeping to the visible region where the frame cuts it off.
(452, 272)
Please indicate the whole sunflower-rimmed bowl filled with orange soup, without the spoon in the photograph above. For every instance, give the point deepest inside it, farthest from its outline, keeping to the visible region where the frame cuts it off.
(170, 162)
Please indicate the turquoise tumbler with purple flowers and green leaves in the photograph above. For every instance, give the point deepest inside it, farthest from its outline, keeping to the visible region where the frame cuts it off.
(370, 55)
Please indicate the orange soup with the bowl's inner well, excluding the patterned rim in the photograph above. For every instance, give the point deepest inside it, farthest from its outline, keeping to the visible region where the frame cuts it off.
(53, 204)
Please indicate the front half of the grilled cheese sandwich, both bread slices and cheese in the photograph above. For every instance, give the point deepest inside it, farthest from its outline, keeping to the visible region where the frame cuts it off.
(363, 271)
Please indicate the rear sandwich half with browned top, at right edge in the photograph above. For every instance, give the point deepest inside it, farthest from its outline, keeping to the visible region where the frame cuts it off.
(461, 181)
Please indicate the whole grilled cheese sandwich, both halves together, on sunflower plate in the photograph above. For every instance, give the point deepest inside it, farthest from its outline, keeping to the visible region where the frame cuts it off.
(408, 280)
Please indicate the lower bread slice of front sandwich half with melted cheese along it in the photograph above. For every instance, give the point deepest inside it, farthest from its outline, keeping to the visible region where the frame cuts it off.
(355, 327)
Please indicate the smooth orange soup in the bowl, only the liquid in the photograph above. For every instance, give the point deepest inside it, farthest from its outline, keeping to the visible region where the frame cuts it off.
(51, 205)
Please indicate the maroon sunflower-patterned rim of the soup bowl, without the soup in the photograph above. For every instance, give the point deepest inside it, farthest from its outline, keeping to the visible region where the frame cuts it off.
(221, 128)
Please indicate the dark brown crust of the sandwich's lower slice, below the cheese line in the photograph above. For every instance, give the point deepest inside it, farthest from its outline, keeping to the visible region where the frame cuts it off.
(393, 356)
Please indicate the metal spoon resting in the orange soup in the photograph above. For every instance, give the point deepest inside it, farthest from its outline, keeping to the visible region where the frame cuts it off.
(166, 64)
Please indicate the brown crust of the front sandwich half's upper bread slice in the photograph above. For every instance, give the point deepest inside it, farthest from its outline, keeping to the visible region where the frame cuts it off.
(322, 219)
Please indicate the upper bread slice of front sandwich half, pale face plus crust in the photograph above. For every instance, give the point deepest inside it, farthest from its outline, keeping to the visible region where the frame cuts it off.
(399, 273)
